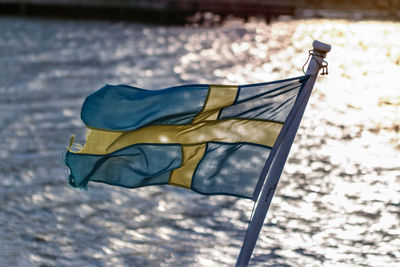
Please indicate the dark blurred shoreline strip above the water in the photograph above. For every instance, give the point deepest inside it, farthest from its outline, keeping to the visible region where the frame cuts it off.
(176, 13)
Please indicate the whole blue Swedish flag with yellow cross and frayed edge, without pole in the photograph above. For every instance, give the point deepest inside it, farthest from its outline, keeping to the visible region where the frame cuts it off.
(212, 139)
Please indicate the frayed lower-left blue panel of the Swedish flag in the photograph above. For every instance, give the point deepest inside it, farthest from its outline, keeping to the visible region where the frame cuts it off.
(134, 166)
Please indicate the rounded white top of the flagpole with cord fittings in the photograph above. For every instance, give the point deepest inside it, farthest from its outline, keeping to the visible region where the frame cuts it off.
(317, 55)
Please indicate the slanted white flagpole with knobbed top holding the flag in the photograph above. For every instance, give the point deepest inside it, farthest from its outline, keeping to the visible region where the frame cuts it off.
(317, 62)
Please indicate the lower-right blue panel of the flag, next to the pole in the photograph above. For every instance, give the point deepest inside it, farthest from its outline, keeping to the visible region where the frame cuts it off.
(230, 169)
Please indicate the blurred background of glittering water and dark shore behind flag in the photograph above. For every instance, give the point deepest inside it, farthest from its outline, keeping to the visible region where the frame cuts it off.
(338, 202)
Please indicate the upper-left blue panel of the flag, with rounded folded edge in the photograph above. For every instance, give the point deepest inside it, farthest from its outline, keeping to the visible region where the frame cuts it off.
(122, 107)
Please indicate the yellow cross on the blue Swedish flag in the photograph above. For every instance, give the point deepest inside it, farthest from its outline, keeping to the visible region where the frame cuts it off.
(205, 127)
